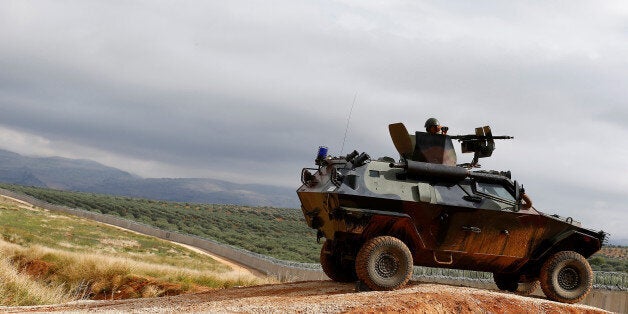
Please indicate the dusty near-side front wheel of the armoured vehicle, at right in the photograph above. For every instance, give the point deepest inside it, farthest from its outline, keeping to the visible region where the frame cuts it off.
(566, 277)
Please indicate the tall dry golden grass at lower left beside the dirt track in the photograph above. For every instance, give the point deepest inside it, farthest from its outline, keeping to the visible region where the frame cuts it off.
(39, 275)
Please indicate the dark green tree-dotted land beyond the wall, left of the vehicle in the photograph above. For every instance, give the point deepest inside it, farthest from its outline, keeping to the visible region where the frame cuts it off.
(278, 232)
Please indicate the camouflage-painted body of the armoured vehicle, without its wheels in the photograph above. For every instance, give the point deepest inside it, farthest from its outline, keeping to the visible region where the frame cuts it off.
(472, 223)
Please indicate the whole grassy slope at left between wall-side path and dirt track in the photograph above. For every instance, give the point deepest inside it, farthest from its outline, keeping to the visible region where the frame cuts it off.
(51, 258)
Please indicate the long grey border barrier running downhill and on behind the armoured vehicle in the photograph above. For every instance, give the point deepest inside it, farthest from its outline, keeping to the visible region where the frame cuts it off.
(615, 283)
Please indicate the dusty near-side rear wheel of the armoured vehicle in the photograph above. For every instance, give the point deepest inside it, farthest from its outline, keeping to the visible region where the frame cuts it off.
(384, 263)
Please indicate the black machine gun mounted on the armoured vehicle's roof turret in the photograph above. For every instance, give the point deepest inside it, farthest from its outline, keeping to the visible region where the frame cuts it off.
(481, 143)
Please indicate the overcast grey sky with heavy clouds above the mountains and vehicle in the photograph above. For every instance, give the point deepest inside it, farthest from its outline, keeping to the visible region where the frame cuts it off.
(246, 91)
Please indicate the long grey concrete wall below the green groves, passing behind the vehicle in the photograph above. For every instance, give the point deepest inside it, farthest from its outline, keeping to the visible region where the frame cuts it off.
(615, 301)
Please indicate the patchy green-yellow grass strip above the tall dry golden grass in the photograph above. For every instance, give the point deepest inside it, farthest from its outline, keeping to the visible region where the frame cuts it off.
(28, 227)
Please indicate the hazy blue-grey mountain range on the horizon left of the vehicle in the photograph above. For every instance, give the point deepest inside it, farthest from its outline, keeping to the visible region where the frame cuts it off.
(90, 176)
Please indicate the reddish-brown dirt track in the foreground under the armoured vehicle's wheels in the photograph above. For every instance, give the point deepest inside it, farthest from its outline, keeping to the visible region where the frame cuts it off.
(327, 297)
